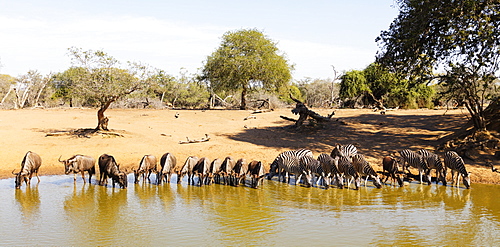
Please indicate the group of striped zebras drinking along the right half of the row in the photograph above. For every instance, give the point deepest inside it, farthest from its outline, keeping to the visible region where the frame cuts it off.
(345, 166)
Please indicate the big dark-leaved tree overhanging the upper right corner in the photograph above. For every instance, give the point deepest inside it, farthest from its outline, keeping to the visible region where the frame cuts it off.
(457, 36)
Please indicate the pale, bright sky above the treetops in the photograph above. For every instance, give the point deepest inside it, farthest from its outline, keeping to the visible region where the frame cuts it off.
(170, 35)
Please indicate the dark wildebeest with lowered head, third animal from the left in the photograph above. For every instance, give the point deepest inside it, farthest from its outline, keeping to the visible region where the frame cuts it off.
(109, 168)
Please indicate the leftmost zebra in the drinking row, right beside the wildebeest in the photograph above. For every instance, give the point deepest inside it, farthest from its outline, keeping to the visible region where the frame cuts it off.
(288, 163)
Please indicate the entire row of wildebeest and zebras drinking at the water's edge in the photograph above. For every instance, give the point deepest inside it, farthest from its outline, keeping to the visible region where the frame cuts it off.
(343, 167)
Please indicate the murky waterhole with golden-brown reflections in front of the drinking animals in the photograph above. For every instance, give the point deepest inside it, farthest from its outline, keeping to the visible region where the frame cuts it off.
(58, 212)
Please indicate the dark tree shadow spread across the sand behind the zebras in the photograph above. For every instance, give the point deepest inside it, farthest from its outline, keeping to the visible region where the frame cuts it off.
(371, 133)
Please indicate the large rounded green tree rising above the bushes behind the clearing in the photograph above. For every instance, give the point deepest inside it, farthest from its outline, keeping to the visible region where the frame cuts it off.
(245, 60)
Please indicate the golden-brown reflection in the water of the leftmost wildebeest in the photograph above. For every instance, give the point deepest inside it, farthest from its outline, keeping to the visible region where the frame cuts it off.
(28, 202)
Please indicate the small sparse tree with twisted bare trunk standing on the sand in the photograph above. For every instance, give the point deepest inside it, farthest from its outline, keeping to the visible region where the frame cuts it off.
(101, 82)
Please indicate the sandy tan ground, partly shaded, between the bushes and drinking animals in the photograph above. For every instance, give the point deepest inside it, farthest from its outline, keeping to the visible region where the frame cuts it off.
(261, 138)
